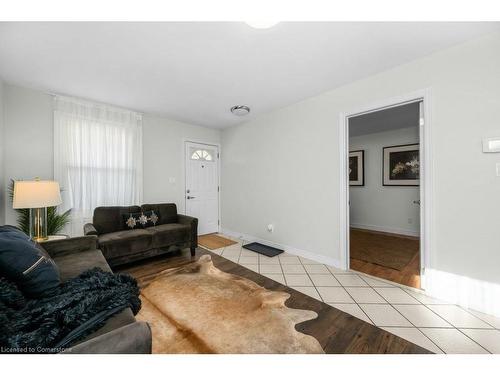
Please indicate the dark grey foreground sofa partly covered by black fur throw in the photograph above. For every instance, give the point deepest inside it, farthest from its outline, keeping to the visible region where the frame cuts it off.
(121, 333)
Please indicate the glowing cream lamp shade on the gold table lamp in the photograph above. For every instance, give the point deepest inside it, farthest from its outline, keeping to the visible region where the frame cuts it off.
(36, 194)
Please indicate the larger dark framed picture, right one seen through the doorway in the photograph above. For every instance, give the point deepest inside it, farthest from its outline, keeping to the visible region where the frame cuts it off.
(401, 165)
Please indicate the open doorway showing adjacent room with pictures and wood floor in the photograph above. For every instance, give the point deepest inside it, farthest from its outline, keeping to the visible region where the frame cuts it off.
(384, 195)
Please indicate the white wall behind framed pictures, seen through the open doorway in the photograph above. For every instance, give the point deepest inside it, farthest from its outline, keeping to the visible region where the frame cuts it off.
(401, 215)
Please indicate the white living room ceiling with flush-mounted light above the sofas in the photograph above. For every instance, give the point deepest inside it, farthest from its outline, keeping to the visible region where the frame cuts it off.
(194, 72)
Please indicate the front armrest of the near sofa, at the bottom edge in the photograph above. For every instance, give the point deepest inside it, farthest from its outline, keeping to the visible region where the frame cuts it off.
(134, 338)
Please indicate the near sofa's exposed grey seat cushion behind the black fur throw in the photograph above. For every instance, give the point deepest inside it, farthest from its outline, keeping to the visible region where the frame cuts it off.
(72, 265)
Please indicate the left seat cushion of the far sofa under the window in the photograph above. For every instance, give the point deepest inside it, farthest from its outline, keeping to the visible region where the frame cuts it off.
(125, 242)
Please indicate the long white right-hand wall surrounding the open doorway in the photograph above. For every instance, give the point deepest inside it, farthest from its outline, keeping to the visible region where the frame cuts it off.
(283, 167)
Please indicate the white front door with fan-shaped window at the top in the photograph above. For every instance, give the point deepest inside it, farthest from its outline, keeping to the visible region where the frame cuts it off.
(202, 185)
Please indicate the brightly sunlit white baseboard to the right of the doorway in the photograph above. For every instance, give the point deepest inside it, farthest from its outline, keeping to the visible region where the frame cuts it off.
(467, 292)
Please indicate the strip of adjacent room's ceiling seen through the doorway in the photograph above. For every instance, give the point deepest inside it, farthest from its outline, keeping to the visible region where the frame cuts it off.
(403, 116)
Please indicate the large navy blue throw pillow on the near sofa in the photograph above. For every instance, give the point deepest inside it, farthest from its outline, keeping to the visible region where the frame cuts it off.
(21, 261)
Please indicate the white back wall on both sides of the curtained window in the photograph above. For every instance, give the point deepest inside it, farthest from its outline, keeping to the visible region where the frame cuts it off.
(29, 146)
